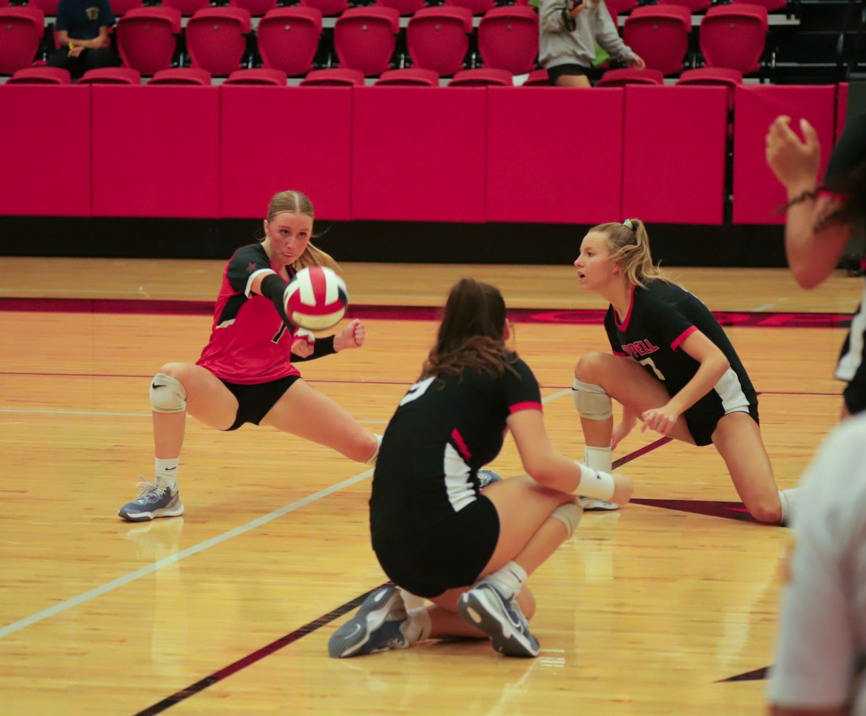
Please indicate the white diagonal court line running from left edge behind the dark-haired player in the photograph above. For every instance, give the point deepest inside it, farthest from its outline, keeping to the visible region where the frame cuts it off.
(183, 554)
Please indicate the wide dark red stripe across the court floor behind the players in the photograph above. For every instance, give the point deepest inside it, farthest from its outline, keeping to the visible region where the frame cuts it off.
(411, 313)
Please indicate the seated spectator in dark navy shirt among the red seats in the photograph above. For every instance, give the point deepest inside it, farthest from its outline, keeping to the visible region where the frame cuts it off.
(82, 36)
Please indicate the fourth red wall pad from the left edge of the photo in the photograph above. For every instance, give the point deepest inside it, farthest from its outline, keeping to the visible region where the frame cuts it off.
(418, 153)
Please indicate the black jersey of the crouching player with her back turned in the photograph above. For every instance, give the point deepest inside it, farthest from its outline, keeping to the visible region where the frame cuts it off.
(443, 431)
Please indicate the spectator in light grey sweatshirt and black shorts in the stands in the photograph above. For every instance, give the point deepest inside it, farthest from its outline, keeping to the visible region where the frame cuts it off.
(568, 32)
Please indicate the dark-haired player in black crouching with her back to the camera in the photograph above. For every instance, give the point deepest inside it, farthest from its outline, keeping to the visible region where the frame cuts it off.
(434, 532)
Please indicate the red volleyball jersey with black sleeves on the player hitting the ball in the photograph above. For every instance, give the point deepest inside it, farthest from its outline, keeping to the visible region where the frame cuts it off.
(249, 342)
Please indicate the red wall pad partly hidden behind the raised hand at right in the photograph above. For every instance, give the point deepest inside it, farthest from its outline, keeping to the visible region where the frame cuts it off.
(757, 193)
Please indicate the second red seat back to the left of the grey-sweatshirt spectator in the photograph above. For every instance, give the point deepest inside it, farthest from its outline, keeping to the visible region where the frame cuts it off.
(438, 38)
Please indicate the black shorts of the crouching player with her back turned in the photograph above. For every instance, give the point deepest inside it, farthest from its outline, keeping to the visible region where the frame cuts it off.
(428, 562)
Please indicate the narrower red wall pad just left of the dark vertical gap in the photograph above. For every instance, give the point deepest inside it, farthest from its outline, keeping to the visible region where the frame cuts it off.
(674, 157)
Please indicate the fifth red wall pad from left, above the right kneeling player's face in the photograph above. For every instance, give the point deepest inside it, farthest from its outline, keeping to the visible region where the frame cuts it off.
(554, 155)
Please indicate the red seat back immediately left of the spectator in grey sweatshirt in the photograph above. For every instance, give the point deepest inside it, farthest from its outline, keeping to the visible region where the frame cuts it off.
(508, 38)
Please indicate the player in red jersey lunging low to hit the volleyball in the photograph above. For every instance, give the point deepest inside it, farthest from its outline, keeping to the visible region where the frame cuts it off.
(245, 373)
